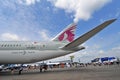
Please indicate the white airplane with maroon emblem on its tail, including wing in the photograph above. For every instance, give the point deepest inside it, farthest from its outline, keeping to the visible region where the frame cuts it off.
(19, 52)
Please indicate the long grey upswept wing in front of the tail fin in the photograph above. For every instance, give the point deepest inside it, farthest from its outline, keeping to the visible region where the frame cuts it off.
(88, 35)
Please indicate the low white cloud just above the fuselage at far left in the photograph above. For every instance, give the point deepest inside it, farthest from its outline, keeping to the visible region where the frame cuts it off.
(11, 37)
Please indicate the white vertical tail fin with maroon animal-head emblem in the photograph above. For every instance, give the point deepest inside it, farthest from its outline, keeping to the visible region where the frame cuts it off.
(67, 35)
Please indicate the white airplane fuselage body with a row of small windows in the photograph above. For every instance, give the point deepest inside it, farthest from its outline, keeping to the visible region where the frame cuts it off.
(28, 52)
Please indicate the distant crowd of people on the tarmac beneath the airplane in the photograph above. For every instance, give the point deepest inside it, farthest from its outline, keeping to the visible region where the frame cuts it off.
(44, 67)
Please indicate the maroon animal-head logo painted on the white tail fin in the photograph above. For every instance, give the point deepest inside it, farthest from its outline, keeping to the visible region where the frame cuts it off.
(68, 34)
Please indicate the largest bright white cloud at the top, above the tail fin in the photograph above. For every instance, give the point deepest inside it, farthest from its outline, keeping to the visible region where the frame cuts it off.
(82, 9)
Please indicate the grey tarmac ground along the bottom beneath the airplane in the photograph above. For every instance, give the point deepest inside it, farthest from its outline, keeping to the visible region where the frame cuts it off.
(105, 72)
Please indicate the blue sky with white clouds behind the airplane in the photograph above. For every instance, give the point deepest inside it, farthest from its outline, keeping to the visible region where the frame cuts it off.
(41, 20)
